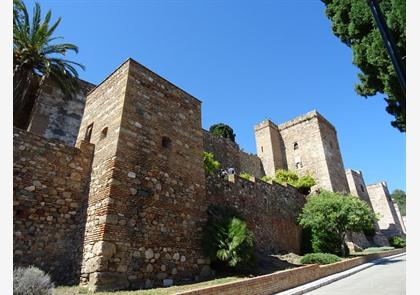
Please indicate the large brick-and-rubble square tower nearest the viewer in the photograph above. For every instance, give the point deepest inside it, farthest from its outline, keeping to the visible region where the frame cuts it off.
(147, 182)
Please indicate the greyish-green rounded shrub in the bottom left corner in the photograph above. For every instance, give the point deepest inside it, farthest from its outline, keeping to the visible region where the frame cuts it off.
(31, 280)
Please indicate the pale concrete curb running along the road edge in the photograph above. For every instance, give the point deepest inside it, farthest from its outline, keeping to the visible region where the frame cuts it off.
(335, 277)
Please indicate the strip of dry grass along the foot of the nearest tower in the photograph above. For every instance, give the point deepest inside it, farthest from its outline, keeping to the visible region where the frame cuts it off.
(76, 290)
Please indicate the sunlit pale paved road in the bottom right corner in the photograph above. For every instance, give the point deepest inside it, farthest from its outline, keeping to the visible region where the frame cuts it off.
(386, 278)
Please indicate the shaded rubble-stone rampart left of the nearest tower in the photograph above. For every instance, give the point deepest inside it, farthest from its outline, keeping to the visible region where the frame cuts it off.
(50, 182)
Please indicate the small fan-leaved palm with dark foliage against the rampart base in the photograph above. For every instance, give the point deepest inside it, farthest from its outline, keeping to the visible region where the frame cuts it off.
(226, 238)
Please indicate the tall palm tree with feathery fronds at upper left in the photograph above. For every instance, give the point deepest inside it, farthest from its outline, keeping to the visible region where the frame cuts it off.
(36, 59)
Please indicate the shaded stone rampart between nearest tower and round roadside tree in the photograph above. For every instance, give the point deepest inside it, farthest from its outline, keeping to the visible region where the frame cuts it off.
(270, 210)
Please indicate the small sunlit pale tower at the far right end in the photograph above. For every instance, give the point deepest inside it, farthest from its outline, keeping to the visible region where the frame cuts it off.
(389, 223)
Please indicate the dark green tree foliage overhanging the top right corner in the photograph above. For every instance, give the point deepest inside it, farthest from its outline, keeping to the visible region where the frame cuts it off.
(353, 23)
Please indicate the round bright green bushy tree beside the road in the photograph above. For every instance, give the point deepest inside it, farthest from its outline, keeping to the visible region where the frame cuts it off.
(330, 215)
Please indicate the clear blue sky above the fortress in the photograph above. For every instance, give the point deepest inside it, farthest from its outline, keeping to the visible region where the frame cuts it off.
(246, 61)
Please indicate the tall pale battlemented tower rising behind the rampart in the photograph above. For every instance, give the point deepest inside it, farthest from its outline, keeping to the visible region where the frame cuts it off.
(308, 145)
